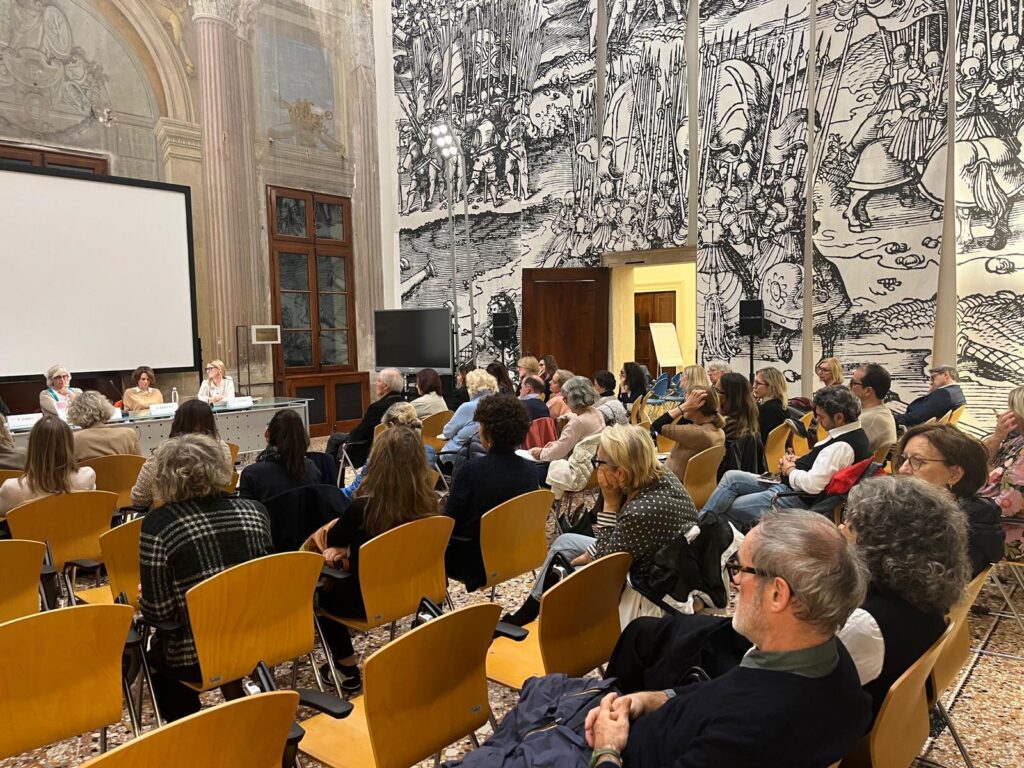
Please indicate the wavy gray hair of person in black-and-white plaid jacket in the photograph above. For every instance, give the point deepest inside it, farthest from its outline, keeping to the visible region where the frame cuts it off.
(191, 466)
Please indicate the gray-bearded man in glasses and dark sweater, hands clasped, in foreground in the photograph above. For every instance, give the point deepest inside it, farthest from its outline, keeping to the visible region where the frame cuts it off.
(794, 701)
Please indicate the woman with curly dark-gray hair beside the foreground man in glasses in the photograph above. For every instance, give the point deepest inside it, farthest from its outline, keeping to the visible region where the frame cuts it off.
(913, 536)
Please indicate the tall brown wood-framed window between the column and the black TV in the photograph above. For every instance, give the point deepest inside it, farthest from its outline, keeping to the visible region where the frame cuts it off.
(312, 274)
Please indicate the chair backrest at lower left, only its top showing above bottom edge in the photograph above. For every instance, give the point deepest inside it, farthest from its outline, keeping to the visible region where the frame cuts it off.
(249, 732)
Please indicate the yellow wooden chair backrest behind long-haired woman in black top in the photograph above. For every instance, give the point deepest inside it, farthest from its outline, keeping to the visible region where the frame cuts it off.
(402, 567)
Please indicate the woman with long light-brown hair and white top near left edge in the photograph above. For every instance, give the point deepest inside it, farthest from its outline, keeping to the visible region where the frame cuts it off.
(51, 467)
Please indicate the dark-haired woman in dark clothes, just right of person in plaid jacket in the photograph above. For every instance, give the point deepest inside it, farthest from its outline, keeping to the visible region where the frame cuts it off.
(283, 464)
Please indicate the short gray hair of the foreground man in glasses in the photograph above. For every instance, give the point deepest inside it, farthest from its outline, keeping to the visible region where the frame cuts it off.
(827, 576)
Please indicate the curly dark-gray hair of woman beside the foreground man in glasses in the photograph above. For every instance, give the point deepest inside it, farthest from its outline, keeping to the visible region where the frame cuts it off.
(913, 536)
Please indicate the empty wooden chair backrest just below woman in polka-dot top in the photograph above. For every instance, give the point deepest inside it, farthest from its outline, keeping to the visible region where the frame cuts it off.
(579, 623)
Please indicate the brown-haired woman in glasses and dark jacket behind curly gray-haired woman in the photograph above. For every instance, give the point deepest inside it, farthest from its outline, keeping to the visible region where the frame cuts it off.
(944, 456)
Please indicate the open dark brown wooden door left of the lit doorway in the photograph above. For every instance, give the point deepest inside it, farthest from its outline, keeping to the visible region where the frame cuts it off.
(566, 314)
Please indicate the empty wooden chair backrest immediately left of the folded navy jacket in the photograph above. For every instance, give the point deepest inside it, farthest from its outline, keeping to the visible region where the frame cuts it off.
(430, 688)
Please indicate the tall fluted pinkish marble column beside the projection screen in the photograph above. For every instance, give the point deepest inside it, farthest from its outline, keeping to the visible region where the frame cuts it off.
(230, 183)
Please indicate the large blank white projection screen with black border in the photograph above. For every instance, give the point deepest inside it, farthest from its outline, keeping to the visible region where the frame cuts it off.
(98, 275)
